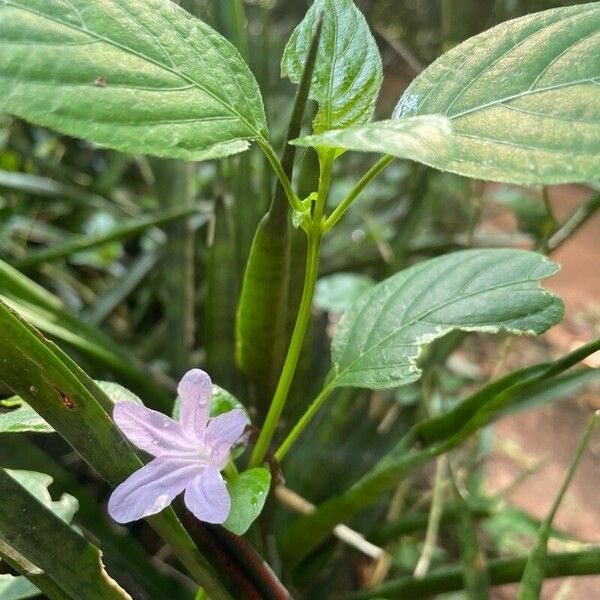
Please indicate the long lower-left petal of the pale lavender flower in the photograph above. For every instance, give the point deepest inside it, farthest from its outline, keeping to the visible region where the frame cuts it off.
(151, 489)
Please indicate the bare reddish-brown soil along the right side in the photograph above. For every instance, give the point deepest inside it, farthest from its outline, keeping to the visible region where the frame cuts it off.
(547, 437)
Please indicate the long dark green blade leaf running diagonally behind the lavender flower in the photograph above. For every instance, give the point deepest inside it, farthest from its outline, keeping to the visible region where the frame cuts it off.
(60, 392)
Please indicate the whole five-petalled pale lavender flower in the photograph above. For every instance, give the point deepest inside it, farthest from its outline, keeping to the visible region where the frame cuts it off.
(189, 455)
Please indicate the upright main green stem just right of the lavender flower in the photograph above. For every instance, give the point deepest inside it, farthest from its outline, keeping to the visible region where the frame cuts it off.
(291, 360)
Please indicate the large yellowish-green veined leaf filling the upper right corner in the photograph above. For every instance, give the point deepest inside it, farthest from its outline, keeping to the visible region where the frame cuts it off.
(523, 99)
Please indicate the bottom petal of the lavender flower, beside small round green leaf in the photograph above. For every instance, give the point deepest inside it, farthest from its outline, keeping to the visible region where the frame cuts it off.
(207, 496)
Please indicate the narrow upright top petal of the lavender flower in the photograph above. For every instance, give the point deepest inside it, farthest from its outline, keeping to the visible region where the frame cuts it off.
(195, 391)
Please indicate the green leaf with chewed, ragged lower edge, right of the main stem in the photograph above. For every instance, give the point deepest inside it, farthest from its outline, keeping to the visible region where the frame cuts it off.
(380, 337)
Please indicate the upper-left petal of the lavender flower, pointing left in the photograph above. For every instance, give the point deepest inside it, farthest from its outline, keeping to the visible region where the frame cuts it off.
(149, 430)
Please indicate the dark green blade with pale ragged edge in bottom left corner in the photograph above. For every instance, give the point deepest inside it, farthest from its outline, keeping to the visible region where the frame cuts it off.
(44, 545)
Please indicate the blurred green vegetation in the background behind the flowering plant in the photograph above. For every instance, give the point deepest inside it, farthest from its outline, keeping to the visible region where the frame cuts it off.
(134, 266)
